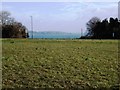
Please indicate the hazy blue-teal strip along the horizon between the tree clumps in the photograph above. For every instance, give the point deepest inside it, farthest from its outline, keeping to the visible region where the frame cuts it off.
(54, 34)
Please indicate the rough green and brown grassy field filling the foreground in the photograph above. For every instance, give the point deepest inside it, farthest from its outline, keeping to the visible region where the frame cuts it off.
(59, 63)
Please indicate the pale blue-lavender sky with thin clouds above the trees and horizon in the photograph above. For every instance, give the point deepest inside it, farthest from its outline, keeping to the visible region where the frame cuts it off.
(60, 16)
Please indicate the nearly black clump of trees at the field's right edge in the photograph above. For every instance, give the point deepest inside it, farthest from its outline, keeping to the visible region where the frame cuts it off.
(105, 29)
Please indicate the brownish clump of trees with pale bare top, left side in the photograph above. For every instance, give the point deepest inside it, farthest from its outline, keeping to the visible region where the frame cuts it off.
(10, 28)
